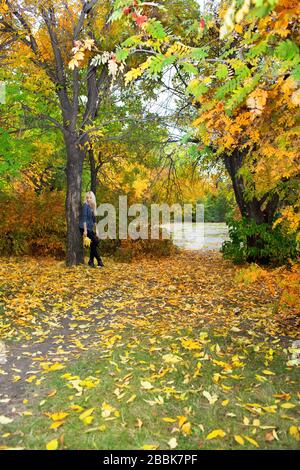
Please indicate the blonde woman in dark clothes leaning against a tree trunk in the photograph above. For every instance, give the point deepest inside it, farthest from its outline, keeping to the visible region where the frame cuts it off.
(88, 227)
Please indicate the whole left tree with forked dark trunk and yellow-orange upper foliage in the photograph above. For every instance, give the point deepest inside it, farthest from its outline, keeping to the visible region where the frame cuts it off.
(39, 35)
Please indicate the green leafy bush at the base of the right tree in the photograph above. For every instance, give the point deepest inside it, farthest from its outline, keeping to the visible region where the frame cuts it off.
(259, 243)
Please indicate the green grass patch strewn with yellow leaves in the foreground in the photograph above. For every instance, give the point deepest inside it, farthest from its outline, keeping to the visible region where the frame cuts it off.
(255, 393)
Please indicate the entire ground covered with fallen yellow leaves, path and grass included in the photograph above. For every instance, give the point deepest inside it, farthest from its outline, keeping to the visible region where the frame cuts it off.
(157, 354)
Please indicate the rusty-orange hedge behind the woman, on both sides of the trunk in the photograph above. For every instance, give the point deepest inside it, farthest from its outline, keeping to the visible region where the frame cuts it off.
(34, 224)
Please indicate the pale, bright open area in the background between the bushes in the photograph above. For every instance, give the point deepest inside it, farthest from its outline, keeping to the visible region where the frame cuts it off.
(203, 236)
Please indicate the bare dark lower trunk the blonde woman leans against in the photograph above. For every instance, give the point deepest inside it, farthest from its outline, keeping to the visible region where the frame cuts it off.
(73, 201)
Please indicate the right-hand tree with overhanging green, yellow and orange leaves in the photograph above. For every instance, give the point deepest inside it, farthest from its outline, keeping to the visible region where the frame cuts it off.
(241, 73)
